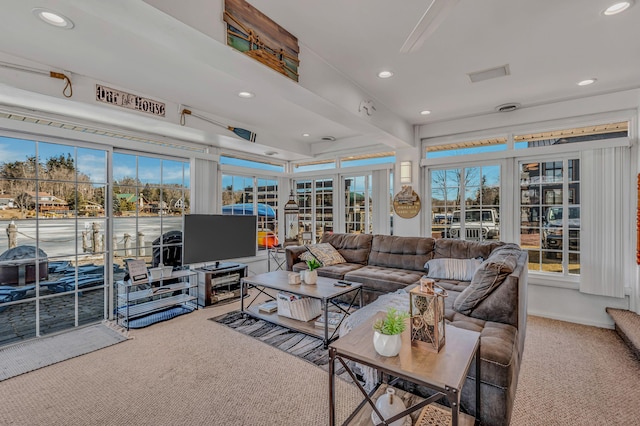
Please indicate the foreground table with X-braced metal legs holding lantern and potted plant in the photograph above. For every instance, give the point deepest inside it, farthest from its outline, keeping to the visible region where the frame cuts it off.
(443, 372)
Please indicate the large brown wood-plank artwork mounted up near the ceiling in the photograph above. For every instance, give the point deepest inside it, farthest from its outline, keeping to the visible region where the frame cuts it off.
(255, 34)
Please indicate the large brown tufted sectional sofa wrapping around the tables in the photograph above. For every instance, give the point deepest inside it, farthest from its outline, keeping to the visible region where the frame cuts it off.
(391, 265)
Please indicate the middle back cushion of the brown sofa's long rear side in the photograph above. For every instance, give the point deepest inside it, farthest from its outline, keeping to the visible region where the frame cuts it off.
(401, 252)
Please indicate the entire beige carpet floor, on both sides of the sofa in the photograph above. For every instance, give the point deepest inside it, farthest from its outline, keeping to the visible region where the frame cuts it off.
(191, 371)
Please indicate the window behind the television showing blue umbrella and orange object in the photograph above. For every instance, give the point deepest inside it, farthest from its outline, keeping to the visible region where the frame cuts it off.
(245, 195)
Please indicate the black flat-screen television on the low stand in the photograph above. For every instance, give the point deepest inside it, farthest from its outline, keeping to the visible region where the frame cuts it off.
(214, 237)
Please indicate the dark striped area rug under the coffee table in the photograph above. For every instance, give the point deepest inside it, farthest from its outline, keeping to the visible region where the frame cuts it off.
(309, 348)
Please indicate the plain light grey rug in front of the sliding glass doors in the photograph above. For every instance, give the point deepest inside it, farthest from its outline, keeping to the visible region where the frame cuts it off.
(37, 353)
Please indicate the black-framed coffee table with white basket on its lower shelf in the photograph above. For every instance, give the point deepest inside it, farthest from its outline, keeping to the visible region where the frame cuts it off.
(324, 290)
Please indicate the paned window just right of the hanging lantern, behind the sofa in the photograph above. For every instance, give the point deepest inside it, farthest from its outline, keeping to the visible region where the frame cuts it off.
(315, 200)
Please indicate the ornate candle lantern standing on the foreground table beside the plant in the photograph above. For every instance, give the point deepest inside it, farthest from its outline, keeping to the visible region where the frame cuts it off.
(426, 308)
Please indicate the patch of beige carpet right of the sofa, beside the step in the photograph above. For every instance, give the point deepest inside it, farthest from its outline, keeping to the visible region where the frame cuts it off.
(576, 375)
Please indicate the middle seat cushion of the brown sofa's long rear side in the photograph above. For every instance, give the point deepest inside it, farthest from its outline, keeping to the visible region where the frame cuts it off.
(383, 279)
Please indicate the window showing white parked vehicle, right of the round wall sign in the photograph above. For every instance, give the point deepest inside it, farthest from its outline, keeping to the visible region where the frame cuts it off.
(466, 203)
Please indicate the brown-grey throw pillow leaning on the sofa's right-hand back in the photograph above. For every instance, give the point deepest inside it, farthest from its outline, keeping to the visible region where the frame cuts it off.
(491, 273)
